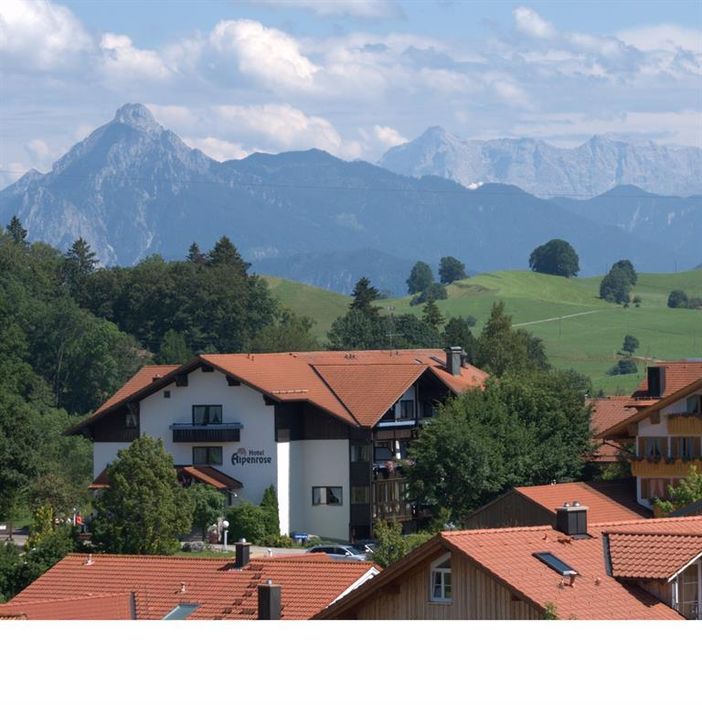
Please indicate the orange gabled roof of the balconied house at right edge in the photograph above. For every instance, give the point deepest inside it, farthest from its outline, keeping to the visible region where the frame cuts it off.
(681, 379)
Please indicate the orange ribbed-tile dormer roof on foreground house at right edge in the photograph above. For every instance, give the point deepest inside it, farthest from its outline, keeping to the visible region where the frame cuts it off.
(653, 556)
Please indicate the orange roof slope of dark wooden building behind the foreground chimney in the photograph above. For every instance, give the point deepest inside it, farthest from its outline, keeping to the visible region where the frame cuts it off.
(613, 500)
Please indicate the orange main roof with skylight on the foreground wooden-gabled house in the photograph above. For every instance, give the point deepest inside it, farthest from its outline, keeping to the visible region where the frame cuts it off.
(508, 556)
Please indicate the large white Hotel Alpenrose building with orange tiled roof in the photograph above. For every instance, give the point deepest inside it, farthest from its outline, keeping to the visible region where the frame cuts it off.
(327, 429)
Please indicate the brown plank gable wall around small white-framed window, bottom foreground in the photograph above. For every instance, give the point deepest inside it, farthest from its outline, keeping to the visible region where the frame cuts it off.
(475, 596)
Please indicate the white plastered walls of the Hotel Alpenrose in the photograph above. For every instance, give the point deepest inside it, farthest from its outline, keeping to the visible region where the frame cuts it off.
(257, 460)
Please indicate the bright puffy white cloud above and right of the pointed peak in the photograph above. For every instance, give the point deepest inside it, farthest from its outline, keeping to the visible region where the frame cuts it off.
(264, 53)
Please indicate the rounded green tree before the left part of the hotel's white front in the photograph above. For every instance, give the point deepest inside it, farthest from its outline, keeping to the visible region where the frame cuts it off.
(144, 510)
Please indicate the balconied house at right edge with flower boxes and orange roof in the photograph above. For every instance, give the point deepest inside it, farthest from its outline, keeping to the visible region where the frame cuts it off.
(666, 430)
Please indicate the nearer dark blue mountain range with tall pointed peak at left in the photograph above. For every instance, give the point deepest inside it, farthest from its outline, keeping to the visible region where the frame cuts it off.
(133, 188)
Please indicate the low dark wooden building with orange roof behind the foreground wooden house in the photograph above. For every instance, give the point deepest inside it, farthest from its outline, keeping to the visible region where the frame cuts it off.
(613, 500)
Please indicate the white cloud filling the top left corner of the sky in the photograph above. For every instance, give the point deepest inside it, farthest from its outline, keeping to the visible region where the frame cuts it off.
(40, 34)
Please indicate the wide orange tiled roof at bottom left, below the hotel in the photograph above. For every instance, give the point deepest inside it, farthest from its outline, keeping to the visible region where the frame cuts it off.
(160, 583)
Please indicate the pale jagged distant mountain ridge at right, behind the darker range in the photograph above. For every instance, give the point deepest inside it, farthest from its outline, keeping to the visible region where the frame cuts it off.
(597, 166)
